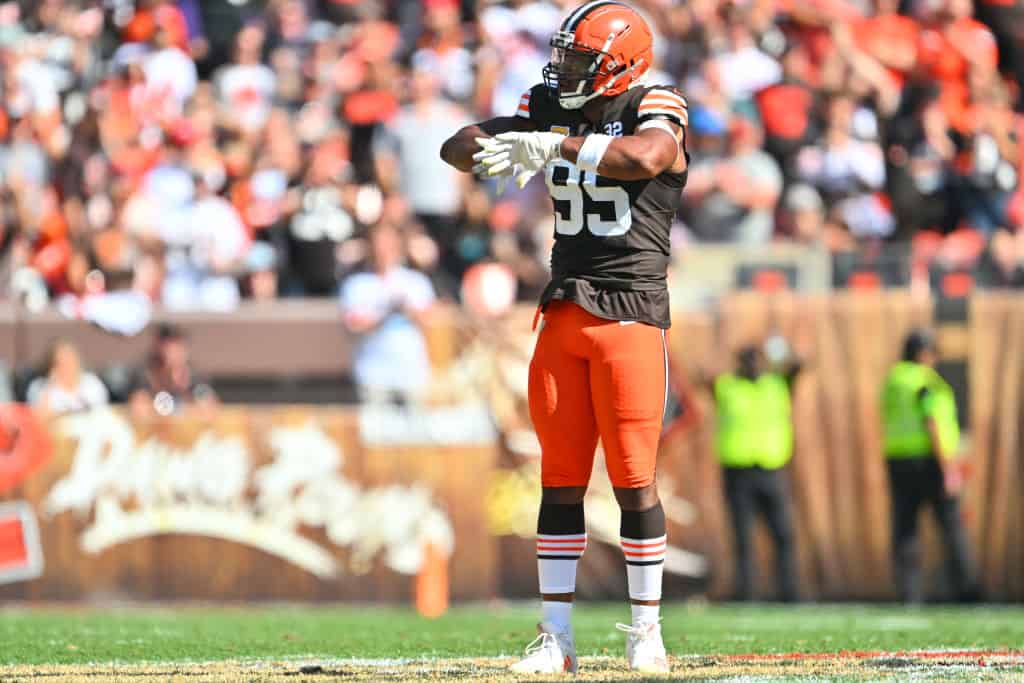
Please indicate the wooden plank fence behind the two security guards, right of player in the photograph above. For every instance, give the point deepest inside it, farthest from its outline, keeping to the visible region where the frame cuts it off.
(838, 476)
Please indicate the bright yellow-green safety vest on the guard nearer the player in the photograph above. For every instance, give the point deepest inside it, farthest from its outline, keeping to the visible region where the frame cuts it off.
(755, 425)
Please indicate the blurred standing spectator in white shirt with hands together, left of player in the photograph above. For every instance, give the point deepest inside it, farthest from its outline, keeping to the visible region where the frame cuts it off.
(385, 306)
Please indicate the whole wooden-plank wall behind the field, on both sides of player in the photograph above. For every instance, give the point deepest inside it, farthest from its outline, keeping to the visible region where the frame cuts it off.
(486, 490)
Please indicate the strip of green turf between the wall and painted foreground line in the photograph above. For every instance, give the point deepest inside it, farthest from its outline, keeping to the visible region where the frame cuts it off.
(76, 636)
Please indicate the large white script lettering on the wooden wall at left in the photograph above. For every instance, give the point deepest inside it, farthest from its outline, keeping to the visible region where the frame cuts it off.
(138, 490)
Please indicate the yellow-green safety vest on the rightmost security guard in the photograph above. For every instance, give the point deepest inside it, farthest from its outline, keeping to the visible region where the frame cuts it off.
(906, 413)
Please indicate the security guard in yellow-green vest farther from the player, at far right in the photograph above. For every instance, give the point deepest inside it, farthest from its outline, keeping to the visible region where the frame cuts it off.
(922, 438)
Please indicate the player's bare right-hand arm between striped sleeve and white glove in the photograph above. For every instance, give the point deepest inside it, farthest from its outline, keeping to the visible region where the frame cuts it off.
(641, 157)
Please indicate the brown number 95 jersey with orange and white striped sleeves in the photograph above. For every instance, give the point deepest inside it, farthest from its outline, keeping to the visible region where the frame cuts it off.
(612, 237)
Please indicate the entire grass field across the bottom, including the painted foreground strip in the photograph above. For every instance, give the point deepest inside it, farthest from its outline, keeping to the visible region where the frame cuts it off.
(706, 642)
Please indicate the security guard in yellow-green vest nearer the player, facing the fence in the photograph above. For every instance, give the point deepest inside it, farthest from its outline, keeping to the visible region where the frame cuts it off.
(755, 443)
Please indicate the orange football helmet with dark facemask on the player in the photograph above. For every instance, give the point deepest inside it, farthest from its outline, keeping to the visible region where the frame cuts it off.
(602, 50)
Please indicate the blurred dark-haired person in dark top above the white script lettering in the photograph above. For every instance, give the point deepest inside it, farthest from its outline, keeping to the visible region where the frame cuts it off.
(167, 385)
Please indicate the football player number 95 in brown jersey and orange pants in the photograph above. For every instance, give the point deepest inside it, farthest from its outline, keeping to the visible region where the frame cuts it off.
(613, 153)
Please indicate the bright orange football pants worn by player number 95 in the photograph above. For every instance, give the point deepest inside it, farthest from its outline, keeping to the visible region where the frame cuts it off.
(593, 378)
